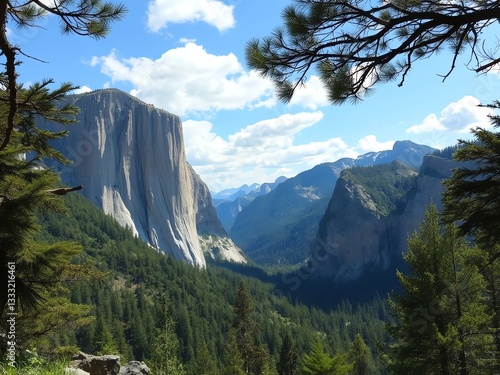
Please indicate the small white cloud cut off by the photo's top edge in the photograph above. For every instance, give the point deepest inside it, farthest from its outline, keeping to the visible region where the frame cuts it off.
(216, 13)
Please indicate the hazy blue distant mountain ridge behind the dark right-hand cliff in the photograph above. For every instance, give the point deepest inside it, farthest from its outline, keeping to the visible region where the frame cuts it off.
(284, 222)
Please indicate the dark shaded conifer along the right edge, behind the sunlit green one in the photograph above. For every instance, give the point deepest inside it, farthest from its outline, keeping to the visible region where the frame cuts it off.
(471, 201)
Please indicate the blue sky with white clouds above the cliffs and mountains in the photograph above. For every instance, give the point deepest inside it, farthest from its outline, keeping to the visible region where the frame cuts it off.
(187, 57)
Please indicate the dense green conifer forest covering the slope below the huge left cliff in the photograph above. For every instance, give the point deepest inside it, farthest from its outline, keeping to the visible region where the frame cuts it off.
(128, 303)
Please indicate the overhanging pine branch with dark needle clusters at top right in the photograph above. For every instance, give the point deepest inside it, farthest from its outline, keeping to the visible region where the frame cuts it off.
(355, 44)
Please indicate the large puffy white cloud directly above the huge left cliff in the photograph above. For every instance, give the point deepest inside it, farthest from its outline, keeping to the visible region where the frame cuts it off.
(189, 79)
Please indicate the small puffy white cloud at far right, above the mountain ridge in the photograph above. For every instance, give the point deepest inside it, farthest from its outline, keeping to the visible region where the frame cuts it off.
(460, 116)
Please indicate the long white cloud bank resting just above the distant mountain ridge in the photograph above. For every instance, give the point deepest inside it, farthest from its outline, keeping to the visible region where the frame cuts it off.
(263, 151)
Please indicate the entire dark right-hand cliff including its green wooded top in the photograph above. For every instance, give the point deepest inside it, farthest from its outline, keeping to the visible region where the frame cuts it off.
(363, 231)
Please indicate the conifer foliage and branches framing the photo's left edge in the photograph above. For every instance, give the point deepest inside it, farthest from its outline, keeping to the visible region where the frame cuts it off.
(37, 271)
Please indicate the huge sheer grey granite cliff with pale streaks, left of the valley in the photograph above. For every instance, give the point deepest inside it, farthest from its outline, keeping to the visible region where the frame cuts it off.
(130, 158)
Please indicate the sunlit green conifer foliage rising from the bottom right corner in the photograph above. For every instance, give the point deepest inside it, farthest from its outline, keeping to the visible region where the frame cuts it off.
(443, 325)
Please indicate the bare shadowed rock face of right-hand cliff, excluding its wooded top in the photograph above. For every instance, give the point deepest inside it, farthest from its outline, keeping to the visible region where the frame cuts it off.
(354, 238)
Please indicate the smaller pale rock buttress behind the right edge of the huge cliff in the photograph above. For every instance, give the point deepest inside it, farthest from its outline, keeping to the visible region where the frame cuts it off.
(214, 240)
